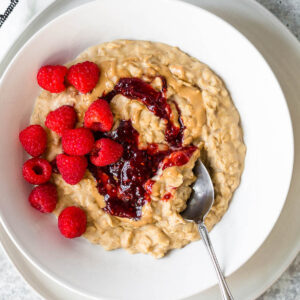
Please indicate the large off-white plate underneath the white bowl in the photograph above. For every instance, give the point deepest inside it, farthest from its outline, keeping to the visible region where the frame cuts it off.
(273, 40)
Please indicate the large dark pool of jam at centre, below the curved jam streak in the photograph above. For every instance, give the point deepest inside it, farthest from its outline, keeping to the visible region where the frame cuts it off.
(122, 183)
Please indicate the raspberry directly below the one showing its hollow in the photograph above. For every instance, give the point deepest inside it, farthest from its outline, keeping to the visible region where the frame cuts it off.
(44, 197)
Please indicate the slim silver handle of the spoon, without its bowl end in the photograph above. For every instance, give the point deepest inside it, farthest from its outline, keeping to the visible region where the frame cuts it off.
(222, 283)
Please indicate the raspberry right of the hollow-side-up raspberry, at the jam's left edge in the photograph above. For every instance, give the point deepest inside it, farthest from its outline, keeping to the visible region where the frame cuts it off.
(71, 168)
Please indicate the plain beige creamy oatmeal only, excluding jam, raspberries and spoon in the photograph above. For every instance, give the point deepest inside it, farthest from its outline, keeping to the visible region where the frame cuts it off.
(211, 123)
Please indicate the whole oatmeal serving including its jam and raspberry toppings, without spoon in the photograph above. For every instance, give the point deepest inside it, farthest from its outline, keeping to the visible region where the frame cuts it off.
(153, 111)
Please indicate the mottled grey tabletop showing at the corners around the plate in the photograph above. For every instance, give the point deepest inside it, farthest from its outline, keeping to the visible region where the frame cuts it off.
(13, 287)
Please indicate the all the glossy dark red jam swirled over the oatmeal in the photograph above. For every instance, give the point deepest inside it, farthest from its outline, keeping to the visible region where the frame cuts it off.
(126, 184)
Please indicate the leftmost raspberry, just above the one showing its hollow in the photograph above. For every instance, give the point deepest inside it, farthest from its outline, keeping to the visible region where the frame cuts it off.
(34, 140)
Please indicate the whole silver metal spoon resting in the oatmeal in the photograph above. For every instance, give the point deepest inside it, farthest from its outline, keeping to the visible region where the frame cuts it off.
(197, 208)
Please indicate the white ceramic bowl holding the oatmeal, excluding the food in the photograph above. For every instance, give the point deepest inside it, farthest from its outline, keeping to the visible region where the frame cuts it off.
(256, 205)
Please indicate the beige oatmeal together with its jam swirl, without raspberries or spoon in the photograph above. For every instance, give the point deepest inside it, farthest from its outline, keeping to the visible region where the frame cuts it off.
(169, 110)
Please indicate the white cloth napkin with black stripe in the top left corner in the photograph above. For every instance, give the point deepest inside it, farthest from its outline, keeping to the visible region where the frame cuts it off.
(16, 22)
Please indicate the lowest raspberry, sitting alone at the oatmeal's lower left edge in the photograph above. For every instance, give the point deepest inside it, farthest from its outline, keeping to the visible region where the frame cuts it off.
(72, 222)
